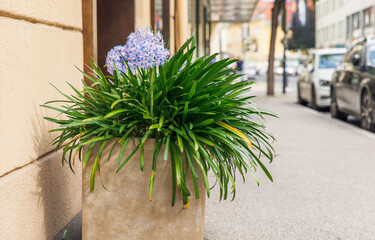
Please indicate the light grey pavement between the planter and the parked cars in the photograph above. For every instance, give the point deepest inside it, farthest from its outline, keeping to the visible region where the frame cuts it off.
(323, 180)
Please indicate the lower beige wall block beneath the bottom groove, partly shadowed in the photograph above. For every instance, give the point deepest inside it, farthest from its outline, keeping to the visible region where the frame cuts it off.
(38, 200)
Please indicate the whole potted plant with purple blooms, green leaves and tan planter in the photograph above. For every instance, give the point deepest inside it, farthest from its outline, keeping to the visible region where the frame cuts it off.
(159, 124)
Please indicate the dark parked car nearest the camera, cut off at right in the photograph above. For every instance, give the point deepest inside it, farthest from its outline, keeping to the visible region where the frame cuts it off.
(353, 84)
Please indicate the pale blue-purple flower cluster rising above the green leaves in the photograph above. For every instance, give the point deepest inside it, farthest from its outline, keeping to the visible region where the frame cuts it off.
(143, 49)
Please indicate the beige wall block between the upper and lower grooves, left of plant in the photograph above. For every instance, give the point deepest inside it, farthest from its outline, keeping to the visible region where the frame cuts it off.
(33, 55)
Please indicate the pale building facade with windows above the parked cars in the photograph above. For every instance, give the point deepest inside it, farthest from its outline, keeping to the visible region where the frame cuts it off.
(339, 22)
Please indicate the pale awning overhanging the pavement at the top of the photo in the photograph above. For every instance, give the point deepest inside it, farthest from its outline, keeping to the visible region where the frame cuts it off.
(230, 10)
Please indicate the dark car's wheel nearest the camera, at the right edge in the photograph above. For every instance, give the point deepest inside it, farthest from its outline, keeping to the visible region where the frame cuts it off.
(367, 119)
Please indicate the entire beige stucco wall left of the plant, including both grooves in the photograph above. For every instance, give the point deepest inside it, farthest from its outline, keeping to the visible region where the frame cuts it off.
(40, 41)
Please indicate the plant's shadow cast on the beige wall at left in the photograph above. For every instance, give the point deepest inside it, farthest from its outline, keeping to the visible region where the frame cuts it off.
(53, 181)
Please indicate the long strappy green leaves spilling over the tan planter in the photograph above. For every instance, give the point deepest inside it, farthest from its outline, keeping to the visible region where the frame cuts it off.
(200, 110)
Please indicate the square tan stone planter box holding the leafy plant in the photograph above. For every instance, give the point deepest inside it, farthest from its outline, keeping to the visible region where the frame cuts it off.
(125, 211)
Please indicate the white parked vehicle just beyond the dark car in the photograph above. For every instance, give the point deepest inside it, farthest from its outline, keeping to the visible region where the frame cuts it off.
(314, 80)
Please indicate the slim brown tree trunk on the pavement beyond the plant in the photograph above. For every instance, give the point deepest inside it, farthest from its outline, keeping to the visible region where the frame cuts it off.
(277, 6)
